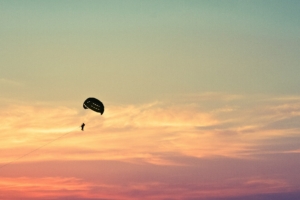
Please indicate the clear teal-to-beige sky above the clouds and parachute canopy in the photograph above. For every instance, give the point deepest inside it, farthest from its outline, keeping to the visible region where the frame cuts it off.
(127, 47)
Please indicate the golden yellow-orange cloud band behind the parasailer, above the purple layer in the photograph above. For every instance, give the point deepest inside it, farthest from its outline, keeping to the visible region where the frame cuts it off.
(234, 127)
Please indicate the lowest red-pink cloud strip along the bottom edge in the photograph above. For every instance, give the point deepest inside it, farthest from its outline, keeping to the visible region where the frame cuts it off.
(62, 188)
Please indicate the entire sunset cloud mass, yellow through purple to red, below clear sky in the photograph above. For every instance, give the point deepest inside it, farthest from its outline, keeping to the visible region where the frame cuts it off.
(169, 149)
